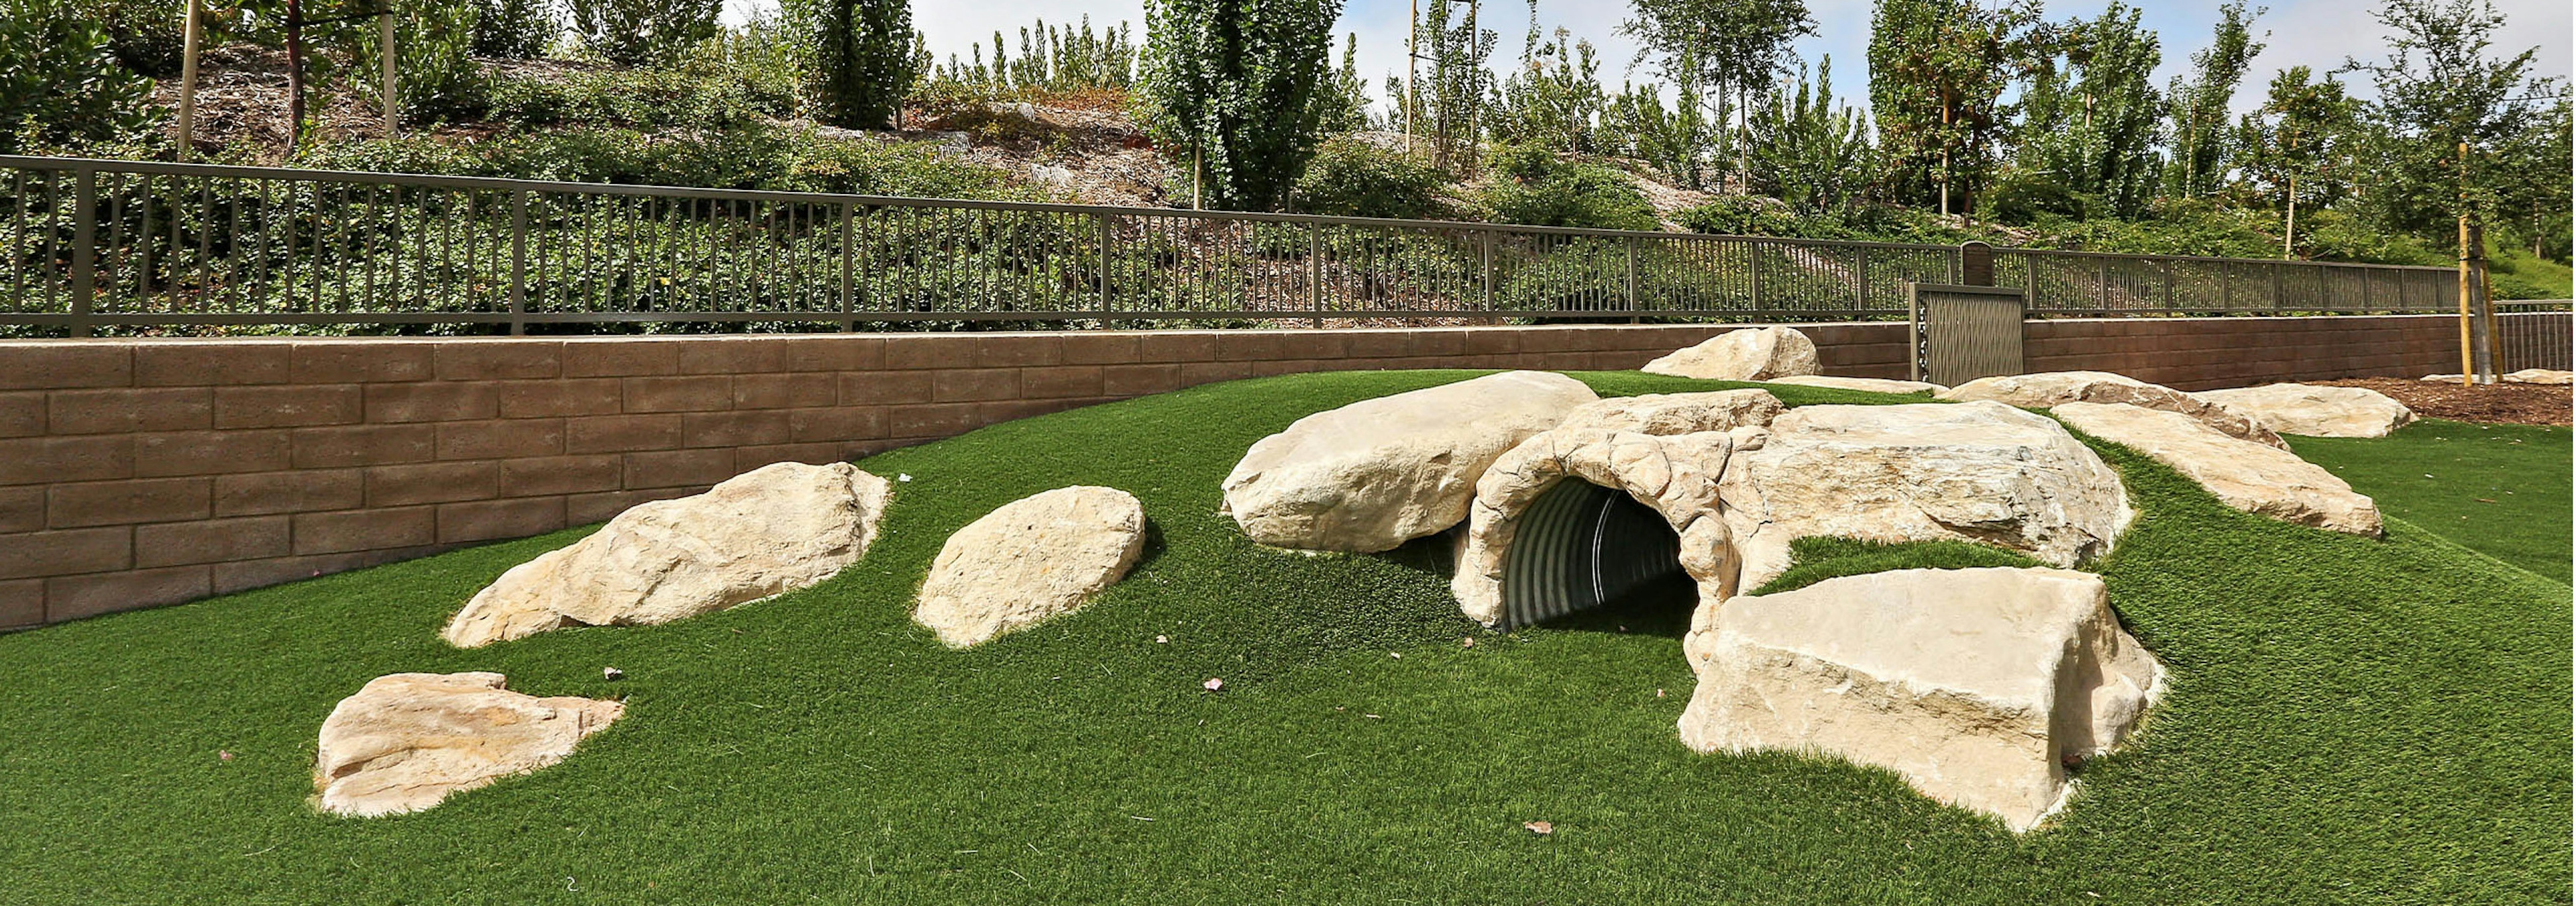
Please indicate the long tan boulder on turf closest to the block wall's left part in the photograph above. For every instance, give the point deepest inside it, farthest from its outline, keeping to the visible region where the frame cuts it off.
(761, 534)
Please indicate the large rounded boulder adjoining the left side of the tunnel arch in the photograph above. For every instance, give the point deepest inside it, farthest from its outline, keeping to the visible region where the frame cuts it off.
(1382, 472)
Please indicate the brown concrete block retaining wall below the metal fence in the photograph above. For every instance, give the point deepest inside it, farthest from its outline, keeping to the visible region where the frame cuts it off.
(148, 472)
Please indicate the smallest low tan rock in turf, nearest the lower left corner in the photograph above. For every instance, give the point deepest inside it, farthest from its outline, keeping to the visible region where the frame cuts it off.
(406, 743)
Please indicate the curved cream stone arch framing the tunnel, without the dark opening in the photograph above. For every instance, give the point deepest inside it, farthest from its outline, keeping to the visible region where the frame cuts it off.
(1676, 475)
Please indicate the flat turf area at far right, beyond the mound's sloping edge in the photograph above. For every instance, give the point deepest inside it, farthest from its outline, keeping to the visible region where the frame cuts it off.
(2500, 490)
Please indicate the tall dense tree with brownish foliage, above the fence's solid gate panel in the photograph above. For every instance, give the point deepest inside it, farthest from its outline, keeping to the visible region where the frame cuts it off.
(1938, 73)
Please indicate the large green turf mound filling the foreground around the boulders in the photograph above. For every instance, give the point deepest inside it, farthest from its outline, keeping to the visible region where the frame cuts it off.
(2351, 719)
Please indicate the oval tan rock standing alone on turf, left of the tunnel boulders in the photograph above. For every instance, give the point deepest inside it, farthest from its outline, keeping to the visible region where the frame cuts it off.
(1029, 560)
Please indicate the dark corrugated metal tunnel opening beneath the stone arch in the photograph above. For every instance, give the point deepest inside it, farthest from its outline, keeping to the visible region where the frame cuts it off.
(1583, 547)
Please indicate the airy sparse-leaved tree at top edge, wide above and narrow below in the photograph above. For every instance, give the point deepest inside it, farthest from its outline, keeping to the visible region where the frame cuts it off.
(1730, 48)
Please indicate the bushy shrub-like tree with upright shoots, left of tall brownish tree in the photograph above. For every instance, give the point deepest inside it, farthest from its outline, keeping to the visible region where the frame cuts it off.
(1810, 151)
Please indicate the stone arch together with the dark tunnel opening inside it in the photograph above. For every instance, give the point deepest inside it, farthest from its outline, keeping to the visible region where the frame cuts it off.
(1583, 501)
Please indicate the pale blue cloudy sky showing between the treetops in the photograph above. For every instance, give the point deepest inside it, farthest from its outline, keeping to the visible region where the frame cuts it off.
(2302, 32)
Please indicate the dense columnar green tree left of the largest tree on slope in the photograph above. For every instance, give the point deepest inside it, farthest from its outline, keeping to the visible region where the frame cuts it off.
(862, 60)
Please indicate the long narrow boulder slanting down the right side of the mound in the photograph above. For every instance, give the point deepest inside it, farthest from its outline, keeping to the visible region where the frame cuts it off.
(2245, 475)
